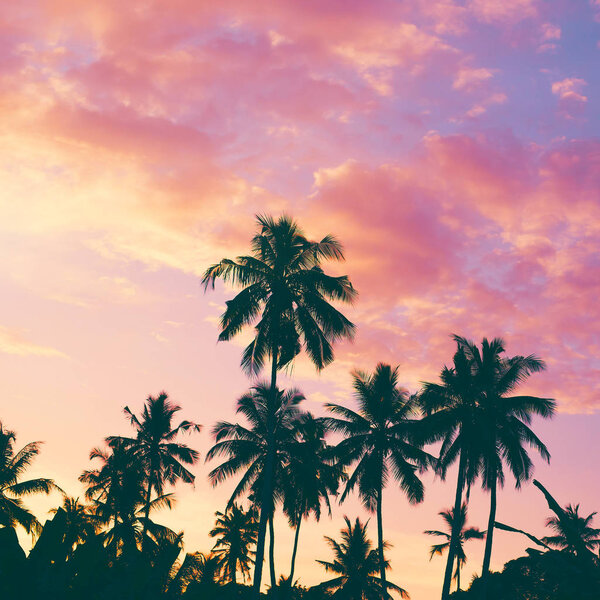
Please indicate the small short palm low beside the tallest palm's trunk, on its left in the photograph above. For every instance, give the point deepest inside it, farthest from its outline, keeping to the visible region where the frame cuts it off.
(236, 530)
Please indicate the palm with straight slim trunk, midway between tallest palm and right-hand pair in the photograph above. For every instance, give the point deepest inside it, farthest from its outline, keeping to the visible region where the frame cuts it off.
(382, 439)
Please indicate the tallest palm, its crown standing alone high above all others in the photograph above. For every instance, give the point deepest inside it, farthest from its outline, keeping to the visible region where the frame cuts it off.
(287, 295)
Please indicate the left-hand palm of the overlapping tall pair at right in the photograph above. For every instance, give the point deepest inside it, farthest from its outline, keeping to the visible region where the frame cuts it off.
(450, 409)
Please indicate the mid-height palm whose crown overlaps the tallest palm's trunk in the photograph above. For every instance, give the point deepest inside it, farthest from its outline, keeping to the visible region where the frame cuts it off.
(260, 450)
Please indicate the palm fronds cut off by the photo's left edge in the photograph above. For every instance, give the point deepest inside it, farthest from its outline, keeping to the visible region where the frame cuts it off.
(13, 465)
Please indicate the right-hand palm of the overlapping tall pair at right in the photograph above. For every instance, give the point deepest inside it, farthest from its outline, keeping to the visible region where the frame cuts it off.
(504, 420)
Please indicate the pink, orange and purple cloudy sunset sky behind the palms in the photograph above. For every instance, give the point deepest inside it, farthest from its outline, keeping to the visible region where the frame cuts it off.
(453, 147)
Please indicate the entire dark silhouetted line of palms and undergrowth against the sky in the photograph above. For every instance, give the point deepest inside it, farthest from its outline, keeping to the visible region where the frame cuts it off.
(281, 458)
